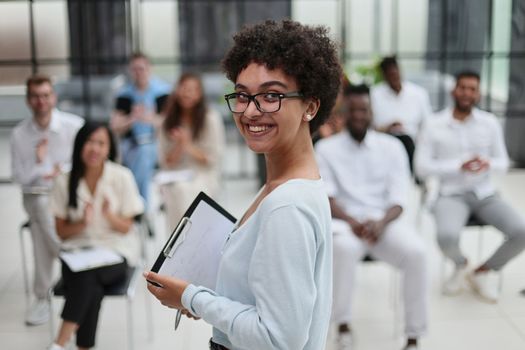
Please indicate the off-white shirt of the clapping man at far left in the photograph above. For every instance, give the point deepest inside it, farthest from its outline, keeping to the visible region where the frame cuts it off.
(25, 137)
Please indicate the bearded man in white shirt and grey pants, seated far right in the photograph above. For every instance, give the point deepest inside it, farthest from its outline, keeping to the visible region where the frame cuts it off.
(464, 146)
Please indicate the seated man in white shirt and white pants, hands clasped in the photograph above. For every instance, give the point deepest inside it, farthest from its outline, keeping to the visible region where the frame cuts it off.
(367, 179)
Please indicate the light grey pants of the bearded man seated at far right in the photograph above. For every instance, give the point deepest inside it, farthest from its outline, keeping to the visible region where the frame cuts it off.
(452, 213)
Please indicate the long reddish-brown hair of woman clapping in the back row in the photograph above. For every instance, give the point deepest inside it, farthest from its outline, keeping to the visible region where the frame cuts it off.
(173, 109)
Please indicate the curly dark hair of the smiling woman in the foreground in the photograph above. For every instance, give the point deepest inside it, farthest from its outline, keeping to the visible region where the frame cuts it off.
(305, 53)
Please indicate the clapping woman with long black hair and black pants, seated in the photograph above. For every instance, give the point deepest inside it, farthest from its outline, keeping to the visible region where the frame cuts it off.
(94, 206)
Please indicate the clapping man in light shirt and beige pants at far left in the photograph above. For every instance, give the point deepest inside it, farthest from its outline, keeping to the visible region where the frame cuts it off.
(40, 150)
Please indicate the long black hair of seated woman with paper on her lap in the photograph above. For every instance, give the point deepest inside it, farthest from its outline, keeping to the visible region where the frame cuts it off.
(77, 165)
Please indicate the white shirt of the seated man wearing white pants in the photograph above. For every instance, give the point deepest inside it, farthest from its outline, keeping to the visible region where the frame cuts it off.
(366, 178)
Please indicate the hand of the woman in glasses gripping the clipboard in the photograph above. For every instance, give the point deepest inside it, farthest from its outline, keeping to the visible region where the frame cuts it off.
(170, 293)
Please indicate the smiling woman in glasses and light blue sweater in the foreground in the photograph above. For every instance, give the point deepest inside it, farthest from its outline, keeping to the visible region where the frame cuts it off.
(274, 282)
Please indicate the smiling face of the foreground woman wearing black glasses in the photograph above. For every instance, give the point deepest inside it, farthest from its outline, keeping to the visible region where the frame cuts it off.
(270, 132)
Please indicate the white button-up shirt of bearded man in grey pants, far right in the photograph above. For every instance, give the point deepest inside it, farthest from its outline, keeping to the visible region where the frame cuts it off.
(446, 143)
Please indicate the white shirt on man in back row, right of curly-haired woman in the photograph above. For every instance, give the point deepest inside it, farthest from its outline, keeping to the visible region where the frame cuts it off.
(410, 107)
